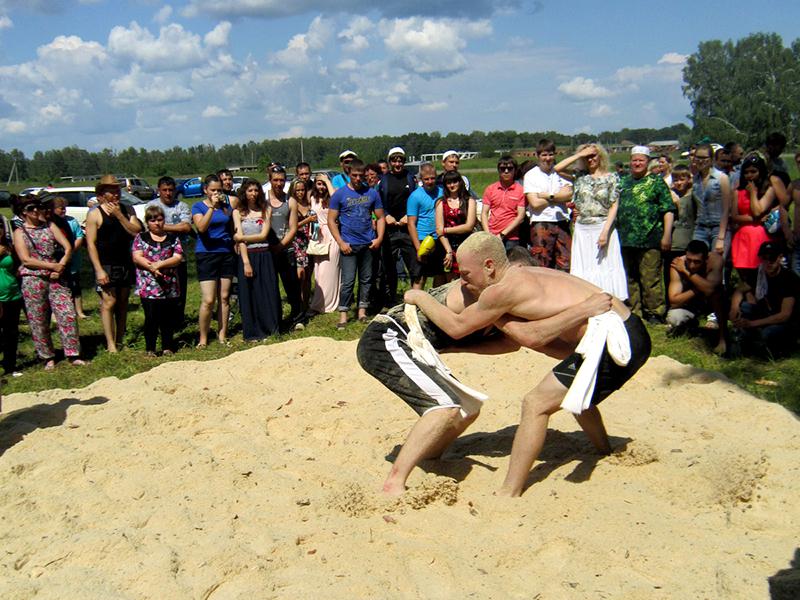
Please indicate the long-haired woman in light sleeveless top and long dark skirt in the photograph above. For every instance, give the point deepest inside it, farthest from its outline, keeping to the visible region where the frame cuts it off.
(259, 297)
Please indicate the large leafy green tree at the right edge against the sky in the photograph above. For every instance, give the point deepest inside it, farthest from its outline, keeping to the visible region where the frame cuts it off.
(743, 90)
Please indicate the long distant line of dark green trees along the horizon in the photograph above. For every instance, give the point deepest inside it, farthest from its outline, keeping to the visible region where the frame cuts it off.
(49, 165)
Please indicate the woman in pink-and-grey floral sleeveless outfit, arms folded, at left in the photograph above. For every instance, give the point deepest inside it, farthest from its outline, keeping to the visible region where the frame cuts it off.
(44, 288)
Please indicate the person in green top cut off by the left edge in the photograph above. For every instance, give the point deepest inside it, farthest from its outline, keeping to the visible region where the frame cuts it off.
(10, 300)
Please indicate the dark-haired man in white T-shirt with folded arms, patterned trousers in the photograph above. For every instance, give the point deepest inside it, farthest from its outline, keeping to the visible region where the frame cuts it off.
(547, 194)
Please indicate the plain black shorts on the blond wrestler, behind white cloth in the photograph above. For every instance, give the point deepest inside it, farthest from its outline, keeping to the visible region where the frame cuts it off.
(610, 376)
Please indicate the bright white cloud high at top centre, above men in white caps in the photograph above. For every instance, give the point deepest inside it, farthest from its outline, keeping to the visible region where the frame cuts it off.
(431, 47)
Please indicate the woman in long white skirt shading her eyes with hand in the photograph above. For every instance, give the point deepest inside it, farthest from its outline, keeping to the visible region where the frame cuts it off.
(596, 254)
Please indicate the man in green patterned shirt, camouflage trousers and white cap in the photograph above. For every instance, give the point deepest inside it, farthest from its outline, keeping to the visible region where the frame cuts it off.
(644, 224)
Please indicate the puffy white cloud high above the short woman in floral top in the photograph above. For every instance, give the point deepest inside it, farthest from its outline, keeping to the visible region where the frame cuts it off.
(174, 48)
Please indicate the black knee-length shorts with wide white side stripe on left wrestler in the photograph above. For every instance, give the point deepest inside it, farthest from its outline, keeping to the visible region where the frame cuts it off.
(383, 353)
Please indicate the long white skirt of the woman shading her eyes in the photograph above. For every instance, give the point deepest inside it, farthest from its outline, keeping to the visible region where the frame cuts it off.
(602, 268)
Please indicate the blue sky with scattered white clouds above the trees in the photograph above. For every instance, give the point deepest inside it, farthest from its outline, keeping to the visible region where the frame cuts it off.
(112, 73)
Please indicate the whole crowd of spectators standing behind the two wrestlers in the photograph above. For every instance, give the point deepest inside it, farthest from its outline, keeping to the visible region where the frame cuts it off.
(712, 239)
